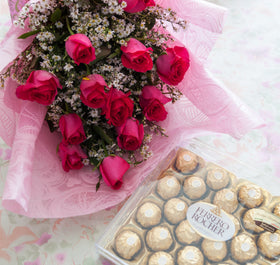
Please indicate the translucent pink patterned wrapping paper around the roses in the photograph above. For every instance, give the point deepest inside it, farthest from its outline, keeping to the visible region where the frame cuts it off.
(37, 186)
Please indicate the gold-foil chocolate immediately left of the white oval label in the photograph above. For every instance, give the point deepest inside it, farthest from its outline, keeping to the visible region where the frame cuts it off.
(175, 210)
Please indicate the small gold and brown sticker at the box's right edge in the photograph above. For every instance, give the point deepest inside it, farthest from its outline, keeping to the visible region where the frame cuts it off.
(266, 220)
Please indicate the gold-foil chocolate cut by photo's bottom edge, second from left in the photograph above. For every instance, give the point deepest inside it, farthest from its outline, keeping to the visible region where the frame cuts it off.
(190, 255)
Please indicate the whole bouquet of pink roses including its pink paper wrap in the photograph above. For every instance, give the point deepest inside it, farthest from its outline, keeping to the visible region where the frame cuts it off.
(103, 74)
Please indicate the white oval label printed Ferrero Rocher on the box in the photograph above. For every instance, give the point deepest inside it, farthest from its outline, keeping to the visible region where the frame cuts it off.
(210, 222)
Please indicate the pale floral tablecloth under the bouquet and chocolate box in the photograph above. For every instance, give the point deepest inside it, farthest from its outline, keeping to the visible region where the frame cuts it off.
(247, 59)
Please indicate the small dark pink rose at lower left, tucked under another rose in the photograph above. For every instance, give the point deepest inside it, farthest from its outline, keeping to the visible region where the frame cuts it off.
(71, 156)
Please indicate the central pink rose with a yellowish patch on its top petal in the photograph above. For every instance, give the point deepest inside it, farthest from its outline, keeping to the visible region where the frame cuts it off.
(92, 91)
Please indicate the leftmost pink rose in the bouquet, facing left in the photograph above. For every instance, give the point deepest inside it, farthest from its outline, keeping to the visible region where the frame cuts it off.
(41, 87)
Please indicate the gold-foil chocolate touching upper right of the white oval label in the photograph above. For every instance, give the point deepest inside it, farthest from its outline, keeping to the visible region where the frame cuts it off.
(226, 199)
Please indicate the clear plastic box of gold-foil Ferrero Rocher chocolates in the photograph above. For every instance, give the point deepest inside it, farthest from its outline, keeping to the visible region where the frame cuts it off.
(191, 210)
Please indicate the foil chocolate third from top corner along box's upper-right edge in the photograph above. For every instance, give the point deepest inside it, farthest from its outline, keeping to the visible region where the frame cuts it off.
(250, 195)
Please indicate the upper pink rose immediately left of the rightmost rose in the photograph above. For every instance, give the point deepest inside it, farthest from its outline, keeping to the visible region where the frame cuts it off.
(136, 56)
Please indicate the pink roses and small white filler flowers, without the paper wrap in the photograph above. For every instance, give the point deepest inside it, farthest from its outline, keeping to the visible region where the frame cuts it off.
(105, 69)
